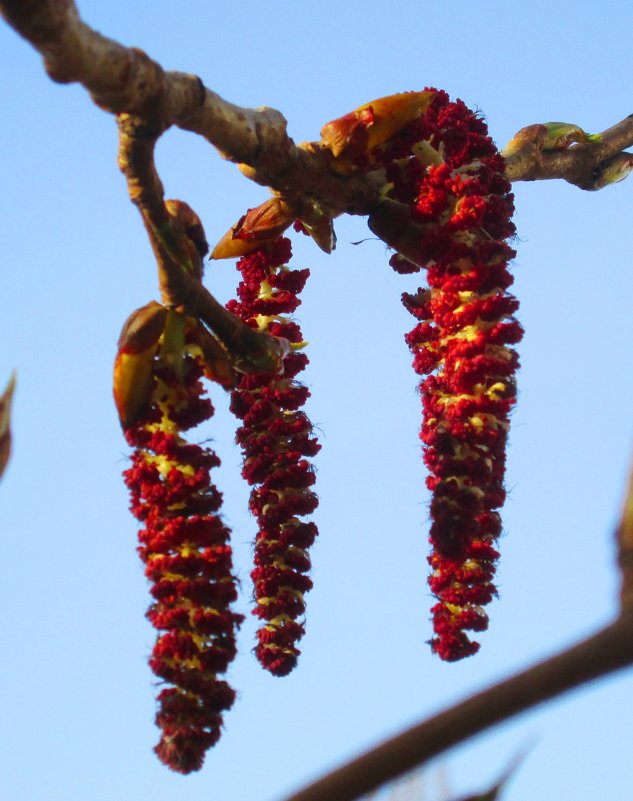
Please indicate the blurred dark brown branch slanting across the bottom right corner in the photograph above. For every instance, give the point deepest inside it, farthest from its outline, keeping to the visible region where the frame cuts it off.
(605, 652)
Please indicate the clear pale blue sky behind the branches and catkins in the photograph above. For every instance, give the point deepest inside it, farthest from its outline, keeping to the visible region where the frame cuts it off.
(77, 695)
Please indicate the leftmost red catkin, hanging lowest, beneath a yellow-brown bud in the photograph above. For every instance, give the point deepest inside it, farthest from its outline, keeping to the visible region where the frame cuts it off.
(184, 545)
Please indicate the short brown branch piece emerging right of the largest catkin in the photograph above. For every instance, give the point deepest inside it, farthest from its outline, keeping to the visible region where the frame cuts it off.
(584, 164)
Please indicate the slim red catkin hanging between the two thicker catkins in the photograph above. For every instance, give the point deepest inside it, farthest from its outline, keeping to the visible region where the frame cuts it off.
(276, 437)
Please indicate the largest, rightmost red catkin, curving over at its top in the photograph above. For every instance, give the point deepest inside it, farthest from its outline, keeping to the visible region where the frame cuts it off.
(447, 171)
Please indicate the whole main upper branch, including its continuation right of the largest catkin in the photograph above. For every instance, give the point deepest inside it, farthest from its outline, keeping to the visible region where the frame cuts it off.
(126, 80)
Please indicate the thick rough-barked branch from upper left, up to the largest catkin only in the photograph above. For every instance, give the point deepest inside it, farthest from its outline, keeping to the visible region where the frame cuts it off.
(126, 80)
